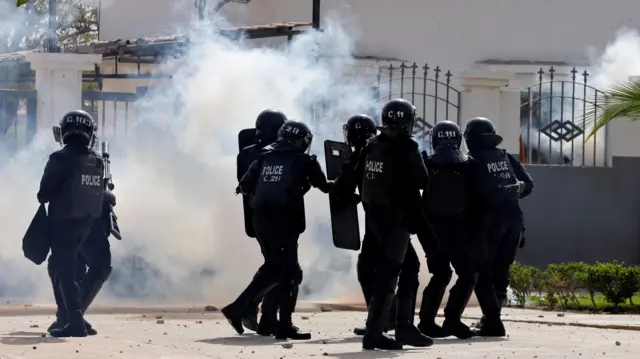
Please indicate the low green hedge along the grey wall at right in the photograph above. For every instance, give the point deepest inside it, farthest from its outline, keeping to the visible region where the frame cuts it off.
(559, 284)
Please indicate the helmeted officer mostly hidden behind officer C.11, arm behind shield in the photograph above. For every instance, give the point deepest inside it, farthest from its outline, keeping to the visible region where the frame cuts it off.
(357, 131)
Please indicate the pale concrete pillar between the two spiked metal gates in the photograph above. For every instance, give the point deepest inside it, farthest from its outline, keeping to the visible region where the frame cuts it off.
(486, 94)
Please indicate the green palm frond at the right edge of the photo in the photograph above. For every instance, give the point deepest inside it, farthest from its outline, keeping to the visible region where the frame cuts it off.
(620, 101)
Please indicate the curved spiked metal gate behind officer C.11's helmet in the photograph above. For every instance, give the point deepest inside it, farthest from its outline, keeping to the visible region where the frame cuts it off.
(429, 89)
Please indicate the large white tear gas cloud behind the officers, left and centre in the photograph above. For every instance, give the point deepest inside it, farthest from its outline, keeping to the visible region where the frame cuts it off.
(175, 172)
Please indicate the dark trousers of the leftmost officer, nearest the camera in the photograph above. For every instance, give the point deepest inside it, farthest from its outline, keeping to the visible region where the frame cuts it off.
(66, 237)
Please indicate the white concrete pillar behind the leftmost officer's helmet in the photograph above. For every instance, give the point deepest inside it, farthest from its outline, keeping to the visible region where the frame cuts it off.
(59, 83)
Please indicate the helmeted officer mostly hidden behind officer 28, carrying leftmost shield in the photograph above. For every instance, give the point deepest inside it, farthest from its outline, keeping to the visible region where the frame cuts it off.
(267, 125)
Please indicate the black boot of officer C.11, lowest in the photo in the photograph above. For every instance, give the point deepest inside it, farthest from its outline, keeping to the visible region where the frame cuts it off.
(375, 337)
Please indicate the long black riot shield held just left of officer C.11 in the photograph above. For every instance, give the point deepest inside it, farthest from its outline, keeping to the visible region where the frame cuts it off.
(344, 217)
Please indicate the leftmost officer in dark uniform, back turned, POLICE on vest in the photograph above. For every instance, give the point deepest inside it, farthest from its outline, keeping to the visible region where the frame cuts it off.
(72, 185)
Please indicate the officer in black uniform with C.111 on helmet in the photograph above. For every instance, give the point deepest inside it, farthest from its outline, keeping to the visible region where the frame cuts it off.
(455, 205)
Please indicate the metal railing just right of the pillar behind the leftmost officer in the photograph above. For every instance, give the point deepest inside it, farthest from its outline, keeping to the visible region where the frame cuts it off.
(113, 111)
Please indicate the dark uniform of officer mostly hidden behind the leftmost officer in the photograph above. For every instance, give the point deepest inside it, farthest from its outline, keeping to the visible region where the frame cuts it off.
(93, 265)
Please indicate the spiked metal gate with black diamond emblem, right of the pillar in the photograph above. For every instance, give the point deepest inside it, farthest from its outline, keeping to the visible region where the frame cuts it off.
(552, 121)
